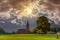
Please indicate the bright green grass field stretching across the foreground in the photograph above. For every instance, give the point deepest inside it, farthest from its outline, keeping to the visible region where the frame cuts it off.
(29, 37)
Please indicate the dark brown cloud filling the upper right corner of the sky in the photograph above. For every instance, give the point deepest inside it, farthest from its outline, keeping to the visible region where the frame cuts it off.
(51, 5)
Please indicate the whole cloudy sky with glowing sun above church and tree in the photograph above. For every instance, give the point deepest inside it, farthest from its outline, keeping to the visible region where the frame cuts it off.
(15, 13)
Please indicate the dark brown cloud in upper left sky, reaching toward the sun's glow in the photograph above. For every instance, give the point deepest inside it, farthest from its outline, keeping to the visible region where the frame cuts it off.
(18, 4)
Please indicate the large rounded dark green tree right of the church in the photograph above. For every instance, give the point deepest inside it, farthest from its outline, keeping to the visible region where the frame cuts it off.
(43, 25)
